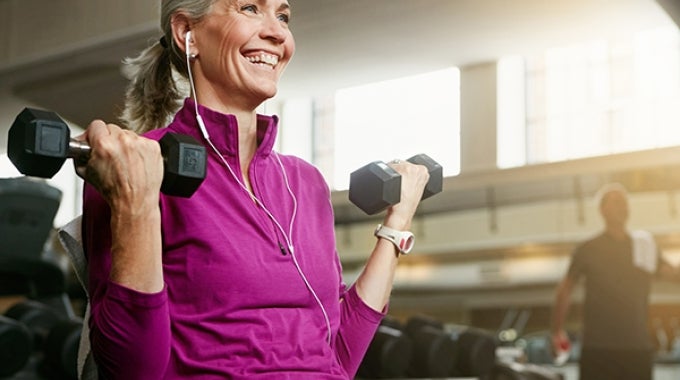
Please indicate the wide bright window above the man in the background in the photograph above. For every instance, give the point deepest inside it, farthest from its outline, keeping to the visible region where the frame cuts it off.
(595, 98)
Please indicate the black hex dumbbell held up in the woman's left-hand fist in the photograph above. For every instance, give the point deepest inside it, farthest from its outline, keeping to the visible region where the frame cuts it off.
(39, 143)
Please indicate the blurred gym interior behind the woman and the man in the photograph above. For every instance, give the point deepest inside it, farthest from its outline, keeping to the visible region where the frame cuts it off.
(534, 105)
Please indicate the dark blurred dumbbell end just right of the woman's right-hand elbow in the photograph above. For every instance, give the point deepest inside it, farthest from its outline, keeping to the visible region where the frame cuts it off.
(389, 353)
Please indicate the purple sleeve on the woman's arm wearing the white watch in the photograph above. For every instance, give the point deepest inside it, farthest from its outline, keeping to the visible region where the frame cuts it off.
(358, 324)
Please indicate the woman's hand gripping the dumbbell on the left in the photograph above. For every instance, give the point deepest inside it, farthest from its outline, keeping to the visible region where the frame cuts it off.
(125, 168)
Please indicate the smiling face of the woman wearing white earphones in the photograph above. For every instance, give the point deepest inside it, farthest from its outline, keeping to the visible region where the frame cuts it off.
(243, 47)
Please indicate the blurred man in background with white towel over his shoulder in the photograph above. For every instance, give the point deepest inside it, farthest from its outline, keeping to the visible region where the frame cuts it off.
(618, 267)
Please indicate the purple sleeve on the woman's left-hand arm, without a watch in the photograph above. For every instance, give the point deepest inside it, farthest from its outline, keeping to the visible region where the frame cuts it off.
(130, 330)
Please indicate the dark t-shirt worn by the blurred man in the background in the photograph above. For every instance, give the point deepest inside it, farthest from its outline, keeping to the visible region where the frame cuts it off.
(616, 294)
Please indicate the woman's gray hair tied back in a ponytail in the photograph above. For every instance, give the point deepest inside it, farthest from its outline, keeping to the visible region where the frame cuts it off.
(158, 75)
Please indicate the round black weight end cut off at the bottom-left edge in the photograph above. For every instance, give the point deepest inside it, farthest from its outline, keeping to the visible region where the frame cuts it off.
(15, 346)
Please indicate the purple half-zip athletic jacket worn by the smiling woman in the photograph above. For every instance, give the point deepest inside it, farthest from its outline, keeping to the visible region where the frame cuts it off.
(234, 304)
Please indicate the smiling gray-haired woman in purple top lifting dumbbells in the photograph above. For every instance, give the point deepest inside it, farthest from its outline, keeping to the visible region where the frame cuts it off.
(242, 279)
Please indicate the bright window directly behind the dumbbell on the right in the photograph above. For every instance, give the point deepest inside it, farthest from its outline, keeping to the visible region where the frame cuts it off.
(397, 119)
